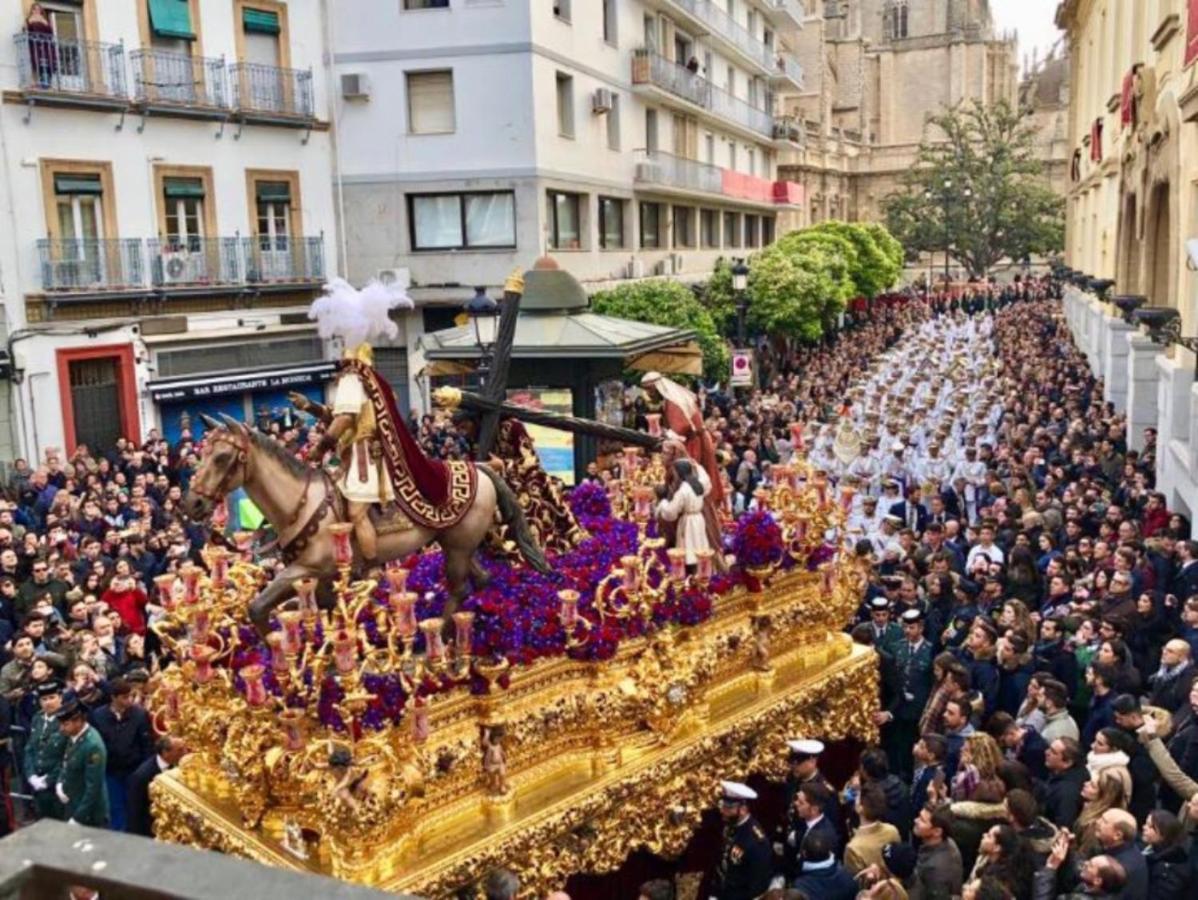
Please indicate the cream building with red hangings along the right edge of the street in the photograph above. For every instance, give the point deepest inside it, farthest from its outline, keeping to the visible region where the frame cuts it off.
(1133, 206)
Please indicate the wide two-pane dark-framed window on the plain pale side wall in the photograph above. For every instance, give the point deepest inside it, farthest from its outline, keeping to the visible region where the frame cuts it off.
(453, 222)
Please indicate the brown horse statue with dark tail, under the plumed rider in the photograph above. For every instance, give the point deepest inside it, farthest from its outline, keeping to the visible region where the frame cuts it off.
(301, 504)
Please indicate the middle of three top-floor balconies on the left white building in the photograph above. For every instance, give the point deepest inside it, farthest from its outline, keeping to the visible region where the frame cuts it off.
(180, 83)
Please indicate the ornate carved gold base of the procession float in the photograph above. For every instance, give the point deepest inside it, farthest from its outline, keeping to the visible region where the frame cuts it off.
(604, 759)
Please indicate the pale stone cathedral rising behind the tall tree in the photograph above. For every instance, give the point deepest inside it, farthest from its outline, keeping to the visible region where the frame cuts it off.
(876, 71)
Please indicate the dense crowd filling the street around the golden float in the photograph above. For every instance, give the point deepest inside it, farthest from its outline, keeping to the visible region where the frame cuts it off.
(1033, 601)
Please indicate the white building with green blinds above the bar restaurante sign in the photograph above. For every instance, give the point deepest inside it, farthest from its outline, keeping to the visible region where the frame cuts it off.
(166, 191)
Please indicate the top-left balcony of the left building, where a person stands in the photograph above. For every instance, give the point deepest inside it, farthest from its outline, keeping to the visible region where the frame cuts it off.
(71, 73)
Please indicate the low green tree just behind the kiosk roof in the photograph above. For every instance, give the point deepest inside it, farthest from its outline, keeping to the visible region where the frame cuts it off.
(662, 303)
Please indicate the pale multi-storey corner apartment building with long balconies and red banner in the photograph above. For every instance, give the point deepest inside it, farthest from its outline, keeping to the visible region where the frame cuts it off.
(626, 138)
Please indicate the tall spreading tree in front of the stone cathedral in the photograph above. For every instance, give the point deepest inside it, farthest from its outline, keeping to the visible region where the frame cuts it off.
(978, 188)
